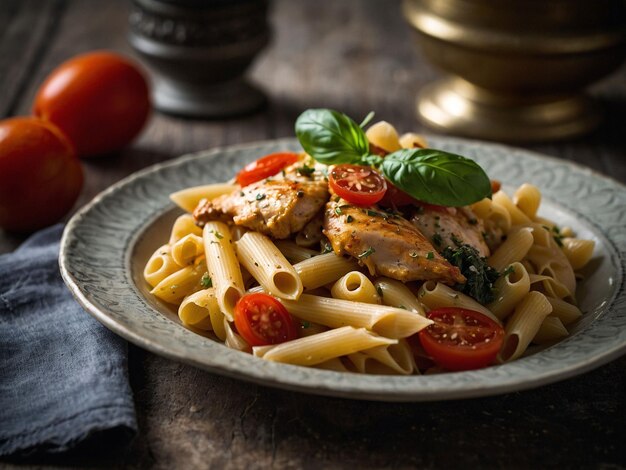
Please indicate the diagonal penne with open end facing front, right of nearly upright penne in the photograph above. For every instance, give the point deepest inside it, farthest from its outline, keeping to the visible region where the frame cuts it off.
(258, 254)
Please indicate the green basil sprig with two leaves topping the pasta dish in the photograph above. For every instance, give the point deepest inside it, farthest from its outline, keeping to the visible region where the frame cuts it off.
(429, 175)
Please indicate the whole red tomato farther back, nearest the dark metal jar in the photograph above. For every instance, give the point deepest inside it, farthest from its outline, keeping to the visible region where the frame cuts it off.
(99, 100)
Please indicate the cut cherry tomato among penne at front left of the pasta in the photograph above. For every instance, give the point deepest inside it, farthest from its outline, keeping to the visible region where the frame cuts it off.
(261, 319)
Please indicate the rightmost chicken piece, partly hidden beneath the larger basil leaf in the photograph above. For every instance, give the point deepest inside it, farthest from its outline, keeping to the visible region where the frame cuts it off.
(451, 226)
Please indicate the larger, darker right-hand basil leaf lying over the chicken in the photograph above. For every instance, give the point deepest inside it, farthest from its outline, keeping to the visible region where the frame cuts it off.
(437, 177)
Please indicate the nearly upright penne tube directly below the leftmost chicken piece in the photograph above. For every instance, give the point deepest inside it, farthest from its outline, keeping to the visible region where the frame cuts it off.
(223, 266)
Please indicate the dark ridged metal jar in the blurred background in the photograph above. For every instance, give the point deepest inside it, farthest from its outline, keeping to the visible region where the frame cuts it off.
(198, 52)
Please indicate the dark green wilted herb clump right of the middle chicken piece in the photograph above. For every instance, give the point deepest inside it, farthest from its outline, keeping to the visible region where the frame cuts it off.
(480, 276)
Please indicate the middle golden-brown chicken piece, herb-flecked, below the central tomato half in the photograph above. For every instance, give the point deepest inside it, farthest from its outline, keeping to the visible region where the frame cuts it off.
(387, 244)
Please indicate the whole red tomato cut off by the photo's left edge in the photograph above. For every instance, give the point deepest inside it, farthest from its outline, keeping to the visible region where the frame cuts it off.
(40, 176)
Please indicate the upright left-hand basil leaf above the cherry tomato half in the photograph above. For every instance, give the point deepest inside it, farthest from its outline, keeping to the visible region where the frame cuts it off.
(331, 137)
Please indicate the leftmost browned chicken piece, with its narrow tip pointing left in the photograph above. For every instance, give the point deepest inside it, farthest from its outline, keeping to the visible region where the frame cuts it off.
(277, 208)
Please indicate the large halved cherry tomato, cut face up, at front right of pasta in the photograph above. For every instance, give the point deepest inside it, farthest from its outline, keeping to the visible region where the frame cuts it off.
(461, 339)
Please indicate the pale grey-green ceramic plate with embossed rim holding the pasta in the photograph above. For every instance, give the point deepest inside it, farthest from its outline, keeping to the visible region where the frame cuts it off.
(107, 243)
